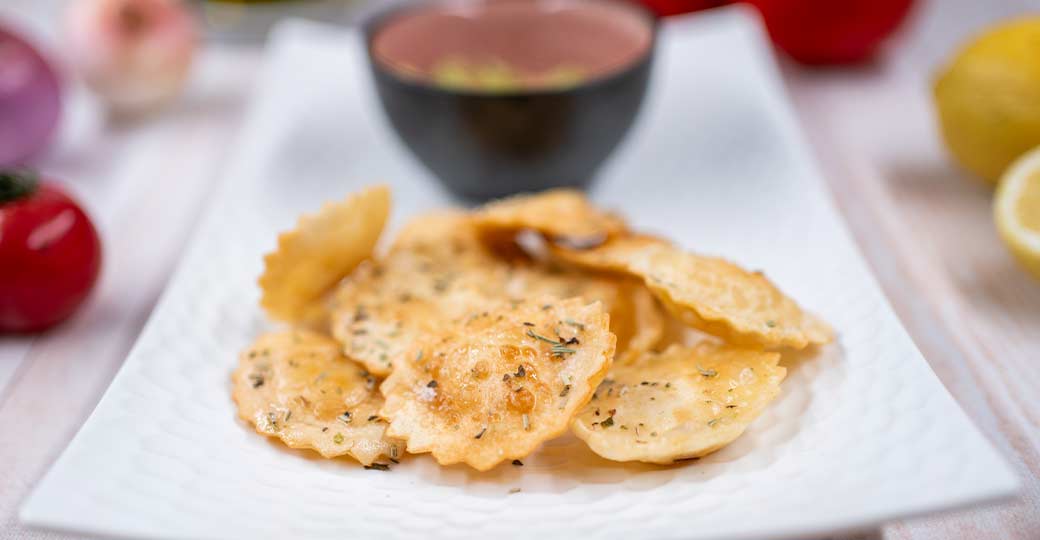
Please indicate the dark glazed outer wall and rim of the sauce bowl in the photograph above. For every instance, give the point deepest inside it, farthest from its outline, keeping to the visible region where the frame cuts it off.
(484, 145)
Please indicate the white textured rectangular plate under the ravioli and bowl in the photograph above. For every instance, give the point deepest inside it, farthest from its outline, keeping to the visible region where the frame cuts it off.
(864, 431)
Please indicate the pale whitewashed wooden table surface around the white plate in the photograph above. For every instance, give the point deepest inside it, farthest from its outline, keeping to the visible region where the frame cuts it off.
(925, 227)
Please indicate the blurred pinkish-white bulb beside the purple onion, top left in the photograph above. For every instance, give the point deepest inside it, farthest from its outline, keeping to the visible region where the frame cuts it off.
(135, 55)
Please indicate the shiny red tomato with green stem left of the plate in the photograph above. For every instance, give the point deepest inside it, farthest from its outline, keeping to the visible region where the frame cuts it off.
(50, 254)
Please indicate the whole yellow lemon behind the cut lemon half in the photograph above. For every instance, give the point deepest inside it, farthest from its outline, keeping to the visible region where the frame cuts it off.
(989, 98)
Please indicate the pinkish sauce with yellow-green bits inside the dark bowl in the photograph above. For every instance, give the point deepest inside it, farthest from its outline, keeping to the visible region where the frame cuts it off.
(512, 46)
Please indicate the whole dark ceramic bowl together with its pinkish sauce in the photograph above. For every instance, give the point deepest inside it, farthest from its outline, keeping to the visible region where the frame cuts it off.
(507, 96)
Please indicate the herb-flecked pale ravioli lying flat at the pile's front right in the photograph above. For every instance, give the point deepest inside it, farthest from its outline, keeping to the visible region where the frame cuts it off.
(680, 404)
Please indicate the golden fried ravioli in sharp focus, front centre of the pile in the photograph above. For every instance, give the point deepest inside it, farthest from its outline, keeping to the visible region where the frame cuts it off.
(497, 384)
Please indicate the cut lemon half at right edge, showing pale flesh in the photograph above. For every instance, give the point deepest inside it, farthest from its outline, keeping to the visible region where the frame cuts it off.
(1017, 210)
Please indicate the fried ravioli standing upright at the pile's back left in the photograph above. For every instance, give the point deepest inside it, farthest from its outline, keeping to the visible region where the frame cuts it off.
(321, 251)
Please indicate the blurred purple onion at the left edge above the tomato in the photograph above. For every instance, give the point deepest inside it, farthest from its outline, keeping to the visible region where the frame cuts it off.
(31, 100)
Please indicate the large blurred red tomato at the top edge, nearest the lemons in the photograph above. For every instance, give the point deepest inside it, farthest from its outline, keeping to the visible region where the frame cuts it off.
(831, 32)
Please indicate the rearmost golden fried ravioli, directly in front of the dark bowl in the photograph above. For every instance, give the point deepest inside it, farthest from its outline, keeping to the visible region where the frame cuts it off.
(561, 215)
